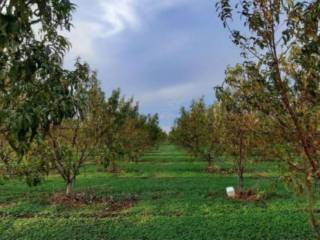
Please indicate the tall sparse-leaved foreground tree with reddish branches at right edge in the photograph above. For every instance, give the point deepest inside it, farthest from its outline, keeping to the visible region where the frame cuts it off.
(283, 38)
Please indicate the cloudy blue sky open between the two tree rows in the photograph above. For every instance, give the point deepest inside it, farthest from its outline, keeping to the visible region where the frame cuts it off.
(164, 53)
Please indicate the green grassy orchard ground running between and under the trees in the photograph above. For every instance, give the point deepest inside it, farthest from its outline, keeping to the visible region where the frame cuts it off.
(167, 195)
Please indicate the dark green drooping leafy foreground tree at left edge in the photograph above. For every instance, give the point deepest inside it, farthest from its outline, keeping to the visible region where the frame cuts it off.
(35, 89)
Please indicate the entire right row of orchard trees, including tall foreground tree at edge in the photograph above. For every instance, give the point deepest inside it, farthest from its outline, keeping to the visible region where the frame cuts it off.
(269, 104)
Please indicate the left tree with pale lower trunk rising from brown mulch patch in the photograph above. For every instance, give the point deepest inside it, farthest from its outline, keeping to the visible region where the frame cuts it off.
(70, 143)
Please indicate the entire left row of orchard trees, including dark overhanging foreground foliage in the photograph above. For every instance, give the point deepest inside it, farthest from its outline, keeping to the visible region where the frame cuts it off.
(54, 118)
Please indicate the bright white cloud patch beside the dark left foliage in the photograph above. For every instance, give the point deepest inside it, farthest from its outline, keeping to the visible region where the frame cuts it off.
(110, 18)
